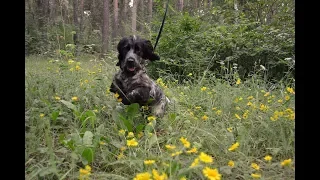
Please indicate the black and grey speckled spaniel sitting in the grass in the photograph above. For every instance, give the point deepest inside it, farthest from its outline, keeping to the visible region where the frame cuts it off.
(131, 82)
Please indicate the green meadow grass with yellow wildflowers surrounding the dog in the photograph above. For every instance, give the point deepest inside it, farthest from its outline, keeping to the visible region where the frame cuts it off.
(65, 135)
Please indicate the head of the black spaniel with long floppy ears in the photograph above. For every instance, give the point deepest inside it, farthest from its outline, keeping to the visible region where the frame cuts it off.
(133, 51)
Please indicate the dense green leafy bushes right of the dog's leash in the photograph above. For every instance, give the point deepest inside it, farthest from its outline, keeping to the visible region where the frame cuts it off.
(192, 44)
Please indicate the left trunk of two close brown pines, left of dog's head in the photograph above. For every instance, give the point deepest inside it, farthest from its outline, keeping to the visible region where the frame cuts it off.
(105, 26)
